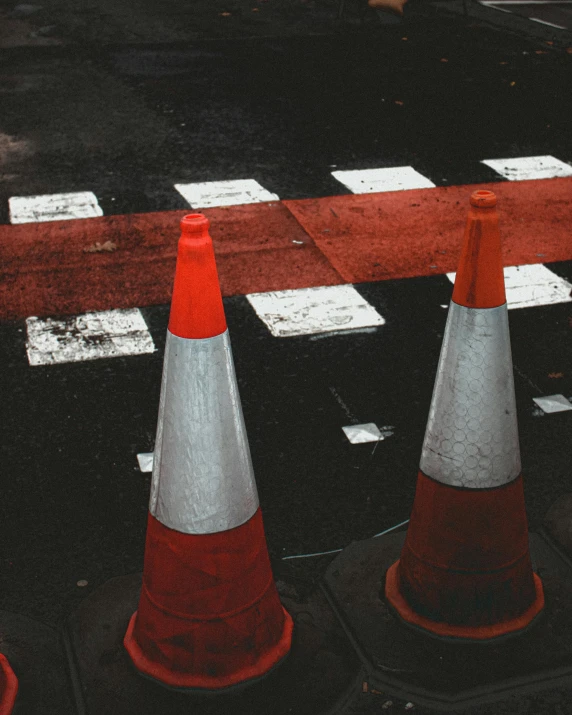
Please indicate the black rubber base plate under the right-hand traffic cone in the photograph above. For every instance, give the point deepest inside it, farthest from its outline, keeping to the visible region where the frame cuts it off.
(444, 675)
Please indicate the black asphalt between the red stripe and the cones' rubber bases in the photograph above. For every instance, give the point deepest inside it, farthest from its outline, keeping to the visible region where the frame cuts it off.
(75, 501)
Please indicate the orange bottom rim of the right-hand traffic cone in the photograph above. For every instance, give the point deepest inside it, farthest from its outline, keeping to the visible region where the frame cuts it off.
(445, 631)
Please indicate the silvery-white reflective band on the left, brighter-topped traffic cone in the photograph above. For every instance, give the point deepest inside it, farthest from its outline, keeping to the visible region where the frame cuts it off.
(203, 480)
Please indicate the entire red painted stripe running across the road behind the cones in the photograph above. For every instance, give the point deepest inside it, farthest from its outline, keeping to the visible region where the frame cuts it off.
(46, 269)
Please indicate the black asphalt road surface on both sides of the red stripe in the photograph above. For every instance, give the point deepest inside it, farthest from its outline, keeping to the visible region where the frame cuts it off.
(127, 101)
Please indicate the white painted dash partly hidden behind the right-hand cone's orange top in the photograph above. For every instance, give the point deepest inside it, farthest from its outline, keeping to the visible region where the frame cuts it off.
(532, 285)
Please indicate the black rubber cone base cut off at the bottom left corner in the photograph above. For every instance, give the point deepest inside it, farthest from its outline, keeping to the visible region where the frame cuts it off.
(36, 656)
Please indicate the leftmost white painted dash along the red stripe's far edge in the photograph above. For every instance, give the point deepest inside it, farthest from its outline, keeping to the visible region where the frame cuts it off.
(53, 207)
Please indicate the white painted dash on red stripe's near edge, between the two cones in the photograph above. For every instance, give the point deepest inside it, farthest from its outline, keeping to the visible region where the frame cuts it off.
(314, 310)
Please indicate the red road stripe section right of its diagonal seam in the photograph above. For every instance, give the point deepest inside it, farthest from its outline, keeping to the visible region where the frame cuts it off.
(419, 233)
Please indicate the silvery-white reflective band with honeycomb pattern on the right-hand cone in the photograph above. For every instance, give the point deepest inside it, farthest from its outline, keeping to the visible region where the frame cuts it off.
(471, 438)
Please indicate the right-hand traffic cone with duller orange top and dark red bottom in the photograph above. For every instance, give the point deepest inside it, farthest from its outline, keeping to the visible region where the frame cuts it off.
(465, 569)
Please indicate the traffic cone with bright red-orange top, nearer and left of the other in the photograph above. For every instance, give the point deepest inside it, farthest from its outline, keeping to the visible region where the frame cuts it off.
(209, 615)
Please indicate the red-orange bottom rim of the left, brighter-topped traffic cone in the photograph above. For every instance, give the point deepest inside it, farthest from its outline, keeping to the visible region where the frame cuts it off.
(201, 683)
